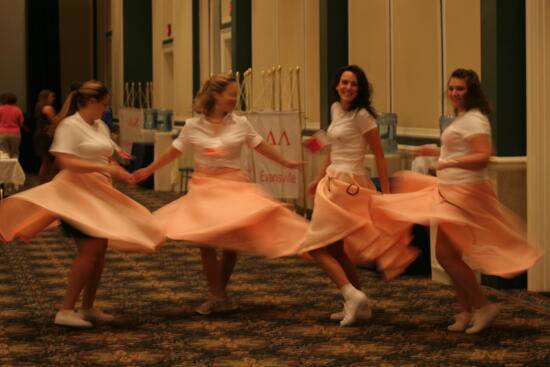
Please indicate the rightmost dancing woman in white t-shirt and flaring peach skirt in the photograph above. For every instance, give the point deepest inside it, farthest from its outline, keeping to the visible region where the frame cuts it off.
(471, 221)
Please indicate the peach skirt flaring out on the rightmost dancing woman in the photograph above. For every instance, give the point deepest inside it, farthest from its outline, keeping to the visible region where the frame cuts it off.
(470, 215)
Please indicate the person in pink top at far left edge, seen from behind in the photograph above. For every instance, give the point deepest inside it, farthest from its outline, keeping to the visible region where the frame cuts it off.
(11, 122)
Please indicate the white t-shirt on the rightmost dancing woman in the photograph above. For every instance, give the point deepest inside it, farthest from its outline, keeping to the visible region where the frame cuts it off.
(454, 144)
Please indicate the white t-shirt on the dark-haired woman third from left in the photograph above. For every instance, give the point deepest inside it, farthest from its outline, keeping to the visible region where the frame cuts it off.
(345, 133)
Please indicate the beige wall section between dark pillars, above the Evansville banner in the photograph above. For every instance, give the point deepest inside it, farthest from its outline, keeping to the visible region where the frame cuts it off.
(286, 33)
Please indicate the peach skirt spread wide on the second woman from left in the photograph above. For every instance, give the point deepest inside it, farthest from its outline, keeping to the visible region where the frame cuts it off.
(223, 209)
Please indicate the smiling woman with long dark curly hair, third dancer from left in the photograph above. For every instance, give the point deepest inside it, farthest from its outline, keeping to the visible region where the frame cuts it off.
(342, 231)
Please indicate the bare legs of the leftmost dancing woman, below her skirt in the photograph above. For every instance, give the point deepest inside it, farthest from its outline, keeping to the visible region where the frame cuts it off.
(91, 252)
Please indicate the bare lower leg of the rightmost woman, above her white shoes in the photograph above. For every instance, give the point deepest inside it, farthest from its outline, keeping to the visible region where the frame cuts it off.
(468, 291)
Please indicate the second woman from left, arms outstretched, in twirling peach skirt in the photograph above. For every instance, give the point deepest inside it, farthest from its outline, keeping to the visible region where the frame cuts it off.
(222, 208)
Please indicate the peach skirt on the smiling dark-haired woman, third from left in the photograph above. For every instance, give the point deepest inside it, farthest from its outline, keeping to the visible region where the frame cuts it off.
(342, 211)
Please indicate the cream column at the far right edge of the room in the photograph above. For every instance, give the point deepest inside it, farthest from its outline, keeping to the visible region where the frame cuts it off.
(538, 137)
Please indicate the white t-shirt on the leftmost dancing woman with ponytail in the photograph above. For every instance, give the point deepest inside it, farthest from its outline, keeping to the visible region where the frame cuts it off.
(88, 142)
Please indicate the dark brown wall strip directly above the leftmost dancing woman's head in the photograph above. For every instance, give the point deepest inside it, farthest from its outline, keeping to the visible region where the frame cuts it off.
(75, 42)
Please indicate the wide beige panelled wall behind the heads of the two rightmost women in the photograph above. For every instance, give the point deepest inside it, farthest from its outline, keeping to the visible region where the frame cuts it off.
(408, 48)
